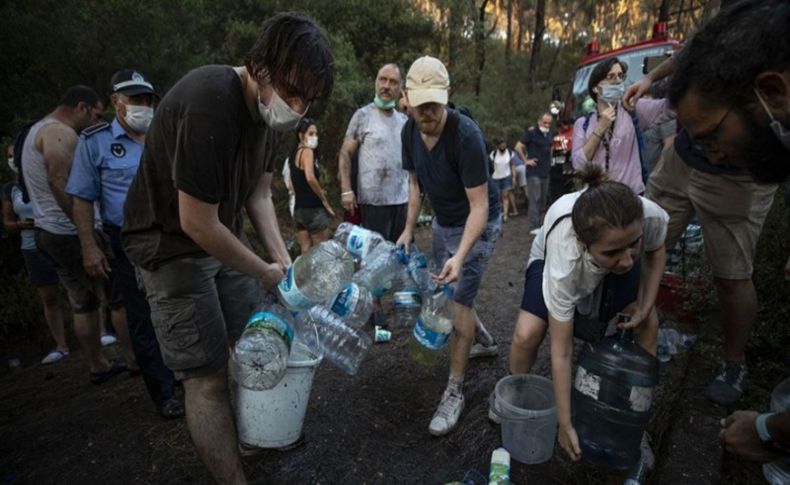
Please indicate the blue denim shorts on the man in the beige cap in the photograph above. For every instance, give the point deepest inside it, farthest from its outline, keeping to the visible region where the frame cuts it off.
(445, 244)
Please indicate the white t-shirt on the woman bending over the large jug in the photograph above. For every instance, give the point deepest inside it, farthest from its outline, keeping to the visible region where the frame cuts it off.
(571, 278)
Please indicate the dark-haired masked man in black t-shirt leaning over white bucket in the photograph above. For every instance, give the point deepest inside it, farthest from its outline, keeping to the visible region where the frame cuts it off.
(209, 156)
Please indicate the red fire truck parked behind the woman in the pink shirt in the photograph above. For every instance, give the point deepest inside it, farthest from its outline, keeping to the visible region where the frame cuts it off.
(637, 56)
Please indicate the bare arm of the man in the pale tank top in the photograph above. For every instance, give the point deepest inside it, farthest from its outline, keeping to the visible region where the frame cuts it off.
(57, 143)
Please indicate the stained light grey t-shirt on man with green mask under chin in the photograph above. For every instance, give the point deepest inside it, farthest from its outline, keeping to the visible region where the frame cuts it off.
(381, 179)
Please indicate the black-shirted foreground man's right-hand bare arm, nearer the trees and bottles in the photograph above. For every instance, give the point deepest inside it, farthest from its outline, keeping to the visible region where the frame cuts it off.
(260, 209)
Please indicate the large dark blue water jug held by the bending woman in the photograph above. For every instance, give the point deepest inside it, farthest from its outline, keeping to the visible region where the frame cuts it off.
(611, 399)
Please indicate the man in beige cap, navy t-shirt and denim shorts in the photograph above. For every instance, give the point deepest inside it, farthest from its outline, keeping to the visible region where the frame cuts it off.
(444, 150)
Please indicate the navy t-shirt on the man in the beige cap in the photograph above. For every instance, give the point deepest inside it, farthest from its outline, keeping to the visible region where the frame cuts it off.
(445, 182)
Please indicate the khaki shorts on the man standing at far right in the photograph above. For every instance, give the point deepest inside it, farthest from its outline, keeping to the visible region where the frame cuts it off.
(731, 211)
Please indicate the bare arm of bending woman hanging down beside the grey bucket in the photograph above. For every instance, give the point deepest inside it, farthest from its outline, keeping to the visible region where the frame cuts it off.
(561, 354)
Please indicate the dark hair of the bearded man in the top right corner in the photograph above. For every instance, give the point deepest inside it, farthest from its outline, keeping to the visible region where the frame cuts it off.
(725, 56)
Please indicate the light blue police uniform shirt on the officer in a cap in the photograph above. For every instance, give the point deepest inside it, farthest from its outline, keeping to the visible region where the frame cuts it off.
(105, 164)
